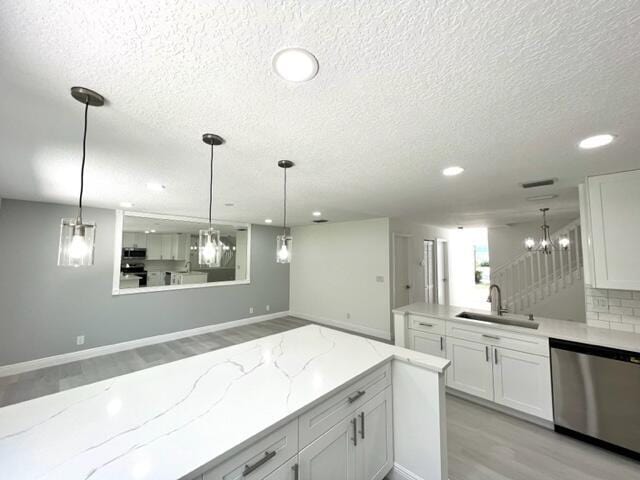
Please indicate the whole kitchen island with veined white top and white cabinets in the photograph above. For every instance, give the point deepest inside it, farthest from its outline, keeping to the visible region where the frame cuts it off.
(279, 407)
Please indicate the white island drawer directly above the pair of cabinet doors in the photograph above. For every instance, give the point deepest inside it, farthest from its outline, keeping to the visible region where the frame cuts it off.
(320, 419)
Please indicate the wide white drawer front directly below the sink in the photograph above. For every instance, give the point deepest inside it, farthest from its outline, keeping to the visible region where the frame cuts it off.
(502, 338)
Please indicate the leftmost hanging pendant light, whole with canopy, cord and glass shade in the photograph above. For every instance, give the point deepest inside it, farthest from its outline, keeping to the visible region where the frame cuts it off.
(76, 245)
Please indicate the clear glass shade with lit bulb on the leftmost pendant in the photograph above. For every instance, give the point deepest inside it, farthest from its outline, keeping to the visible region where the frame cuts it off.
(76, 246)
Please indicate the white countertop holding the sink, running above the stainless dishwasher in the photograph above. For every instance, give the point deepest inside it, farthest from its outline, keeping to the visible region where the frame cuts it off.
(549, 327)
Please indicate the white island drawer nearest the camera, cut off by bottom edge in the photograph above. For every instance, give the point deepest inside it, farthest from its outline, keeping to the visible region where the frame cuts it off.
(261, 458)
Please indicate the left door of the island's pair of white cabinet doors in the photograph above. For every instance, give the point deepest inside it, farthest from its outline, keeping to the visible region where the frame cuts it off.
(333, 455)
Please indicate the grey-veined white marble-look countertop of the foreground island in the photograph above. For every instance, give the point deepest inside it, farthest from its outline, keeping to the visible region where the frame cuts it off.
(168, 421)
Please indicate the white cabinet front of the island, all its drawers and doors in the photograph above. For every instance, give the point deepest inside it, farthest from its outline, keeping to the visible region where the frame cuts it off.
(356, 445)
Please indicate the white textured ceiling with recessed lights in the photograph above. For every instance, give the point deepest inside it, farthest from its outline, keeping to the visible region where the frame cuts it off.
(503, 88)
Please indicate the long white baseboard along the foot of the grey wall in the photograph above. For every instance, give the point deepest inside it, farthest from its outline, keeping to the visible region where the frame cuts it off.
(29, 365)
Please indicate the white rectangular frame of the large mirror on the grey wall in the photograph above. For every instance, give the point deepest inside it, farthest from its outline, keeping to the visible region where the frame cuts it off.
(117, 254)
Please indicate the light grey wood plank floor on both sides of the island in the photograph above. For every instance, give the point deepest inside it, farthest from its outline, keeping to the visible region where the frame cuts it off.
(483, 444)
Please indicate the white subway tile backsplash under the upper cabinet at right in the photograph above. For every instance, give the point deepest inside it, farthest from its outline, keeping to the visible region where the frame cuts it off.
(613, 309)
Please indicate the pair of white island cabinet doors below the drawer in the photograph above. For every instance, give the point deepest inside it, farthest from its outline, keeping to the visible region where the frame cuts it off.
(360, 447)
